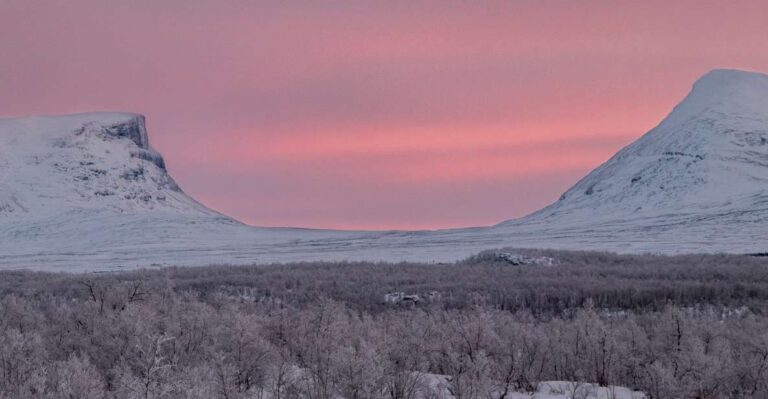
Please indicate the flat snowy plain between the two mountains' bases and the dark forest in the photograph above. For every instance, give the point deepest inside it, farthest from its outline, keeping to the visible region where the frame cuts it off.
(81, 242)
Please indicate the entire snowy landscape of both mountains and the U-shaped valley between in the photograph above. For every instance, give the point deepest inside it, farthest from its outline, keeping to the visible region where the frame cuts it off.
(87, 192)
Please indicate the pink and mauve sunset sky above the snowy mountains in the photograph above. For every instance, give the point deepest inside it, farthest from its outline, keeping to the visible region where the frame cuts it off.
(389, 114)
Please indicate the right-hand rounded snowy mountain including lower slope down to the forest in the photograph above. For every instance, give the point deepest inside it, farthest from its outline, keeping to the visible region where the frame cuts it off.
(698, 182)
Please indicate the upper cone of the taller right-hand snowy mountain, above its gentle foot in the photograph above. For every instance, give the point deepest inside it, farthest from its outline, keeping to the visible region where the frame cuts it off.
(709, 155)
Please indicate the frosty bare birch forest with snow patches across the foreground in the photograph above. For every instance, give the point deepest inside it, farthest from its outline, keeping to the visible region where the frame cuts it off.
(503, 324)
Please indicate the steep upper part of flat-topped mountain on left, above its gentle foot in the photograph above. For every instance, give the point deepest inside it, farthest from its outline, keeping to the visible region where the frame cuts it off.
(91, 163)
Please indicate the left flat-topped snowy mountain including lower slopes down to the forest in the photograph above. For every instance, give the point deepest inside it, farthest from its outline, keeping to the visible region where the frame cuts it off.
(87, 191)
